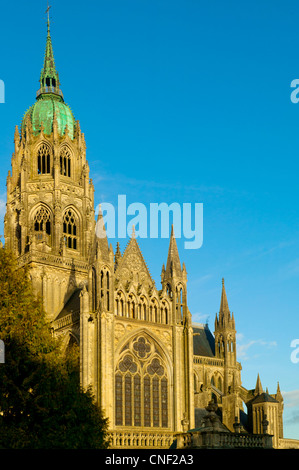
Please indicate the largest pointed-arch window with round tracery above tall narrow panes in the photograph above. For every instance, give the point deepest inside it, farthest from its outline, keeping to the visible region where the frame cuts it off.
(141, 386)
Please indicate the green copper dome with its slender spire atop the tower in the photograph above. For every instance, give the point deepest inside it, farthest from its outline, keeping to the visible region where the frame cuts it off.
(49, 101)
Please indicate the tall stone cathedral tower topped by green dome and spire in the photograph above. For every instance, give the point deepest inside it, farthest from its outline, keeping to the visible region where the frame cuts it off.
(50, 207)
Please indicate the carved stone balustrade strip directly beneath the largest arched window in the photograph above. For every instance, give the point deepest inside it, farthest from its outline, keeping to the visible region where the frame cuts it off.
(140, 439)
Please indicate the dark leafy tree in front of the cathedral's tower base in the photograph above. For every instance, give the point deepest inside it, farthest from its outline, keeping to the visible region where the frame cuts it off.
(42, 405)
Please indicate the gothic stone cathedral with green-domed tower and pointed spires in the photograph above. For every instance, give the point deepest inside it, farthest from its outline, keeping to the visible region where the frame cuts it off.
(151, 369)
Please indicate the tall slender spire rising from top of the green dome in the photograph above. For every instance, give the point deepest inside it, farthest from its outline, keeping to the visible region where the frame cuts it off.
(49, 78)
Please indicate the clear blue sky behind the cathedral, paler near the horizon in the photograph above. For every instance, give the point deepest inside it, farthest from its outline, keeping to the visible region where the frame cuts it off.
(186, 101)
